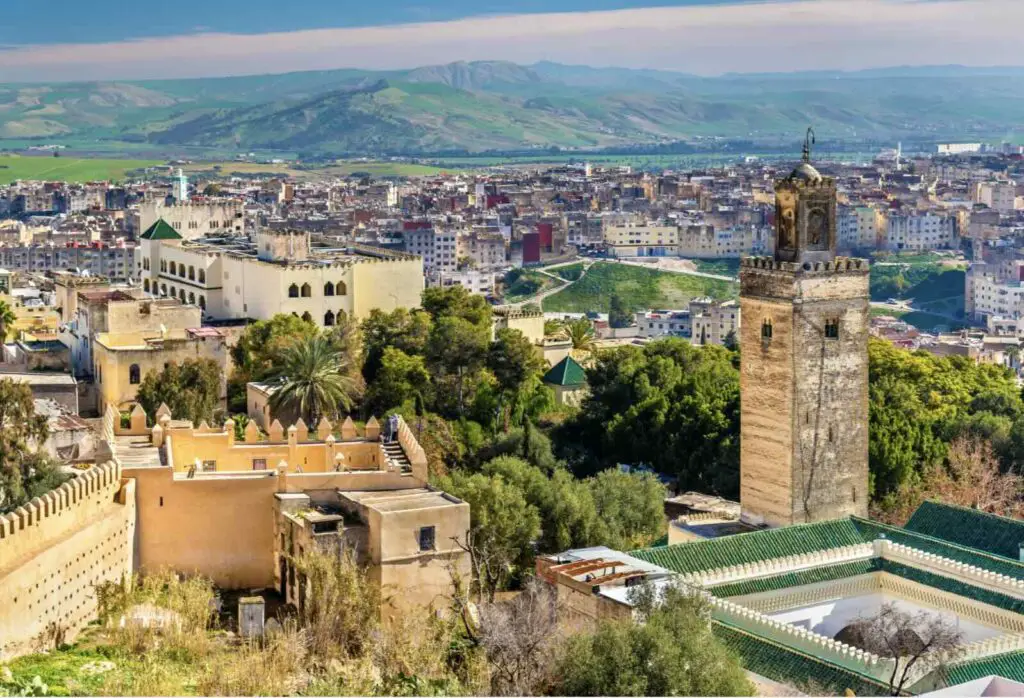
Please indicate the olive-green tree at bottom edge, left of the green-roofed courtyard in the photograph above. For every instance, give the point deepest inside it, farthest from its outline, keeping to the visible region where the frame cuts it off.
(672, 653)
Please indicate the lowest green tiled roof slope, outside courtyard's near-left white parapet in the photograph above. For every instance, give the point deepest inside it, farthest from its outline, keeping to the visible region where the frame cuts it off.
(790, 667)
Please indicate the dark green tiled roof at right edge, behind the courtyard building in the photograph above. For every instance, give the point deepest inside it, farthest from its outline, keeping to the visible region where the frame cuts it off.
(969, 528)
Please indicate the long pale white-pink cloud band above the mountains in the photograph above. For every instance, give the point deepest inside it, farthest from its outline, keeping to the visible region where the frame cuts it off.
(760, 37)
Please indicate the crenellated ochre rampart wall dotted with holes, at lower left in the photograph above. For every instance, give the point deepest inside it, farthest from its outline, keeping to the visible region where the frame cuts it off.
(56, 550)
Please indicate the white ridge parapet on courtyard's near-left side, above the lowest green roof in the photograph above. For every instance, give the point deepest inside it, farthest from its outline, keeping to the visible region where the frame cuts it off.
(801, 639)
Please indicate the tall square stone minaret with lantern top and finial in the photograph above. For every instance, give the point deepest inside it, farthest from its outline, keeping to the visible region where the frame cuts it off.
(804, 374)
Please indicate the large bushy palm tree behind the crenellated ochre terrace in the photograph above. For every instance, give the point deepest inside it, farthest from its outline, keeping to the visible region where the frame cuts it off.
(315, 380)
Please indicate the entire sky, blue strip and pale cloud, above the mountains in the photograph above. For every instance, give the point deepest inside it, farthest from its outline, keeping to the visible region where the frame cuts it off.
(70, 40)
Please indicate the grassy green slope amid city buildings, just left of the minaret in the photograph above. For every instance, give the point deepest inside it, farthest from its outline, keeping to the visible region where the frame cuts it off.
(641, 289)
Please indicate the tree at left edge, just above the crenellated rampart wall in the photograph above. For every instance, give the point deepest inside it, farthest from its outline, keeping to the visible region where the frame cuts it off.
(25, 473)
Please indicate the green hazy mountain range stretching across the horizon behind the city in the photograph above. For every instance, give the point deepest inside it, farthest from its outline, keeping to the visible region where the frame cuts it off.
(503, 107)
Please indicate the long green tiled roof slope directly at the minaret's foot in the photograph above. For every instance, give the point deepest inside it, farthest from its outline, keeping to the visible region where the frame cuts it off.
(754, 547)
